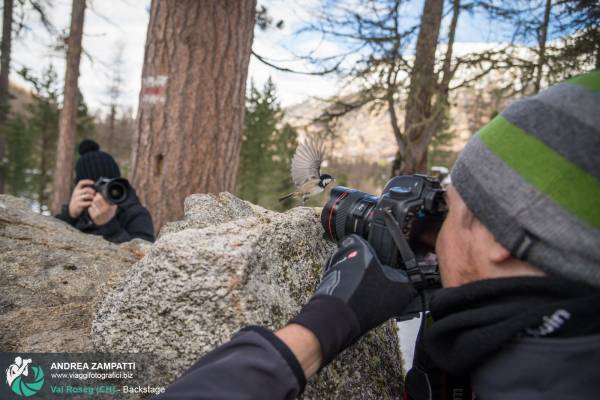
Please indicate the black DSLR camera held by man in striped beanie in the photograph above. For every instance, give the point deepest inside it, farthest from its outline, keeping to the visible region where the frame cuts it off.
(401, 225)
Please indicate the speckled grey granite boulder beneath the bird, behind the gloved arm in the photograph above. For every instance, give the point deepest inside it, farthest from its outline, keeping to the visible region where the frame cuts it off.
(226, 265)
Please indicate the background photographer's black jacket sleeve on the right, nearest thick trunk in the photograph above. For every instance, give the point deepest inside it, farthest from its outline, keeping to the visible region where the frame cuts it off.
(138, 226)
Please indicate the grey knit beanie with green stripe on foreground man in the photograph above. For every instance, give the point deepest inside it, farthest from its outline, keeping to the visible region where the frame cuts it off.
(532, 177)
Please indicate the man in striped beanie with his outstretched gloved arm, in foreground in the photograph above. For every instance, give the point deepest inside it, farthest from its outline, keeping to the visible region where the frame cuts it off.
(518, 316)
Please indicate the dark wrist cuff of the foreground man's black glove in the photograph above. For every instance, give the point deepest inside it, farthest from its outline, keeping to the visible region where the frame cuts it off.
(332, 321)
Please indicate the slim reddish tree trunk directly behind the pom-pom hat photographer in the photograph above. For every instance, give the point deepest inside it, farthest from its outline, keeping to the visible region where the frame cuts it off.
(63, 171)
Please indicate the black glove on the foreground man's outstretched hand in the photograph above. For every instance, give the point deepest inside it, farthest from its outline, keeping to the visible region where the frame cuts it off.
(356, 294)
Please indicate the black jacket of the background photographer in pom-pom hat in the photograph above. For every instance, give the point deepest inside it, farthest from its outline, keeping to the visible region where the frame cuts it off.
(131, 221)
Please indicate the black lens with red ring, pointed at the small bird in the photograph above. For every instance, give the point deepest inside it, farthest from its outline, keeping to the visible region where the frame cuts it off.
(348, 211)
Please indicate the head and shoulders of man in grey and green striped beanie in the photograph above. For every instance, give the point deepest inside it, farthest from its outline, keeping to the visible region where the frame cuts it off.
(519, 252)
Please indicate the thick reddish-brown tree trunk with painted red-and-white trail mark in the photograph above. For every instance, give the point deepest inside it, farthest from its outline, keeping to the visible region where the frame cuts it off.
(191, 108)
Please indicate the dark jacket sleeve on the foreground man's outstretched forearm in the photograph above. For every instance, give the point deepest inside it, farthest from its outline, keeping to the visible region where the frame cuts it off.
(255, 364)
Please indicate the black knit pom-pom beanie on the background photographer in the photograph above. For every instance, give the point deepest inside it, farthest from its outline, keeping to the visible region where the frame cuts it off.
(93, 163)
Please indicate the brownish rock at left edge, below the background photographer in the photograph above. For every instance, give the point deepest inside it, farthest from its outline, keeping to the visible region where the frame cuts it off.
(51, 279)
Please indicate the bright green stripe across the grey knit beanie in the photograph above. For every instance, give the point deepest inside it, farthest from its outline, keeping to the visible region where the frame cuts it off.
(568, 185)
